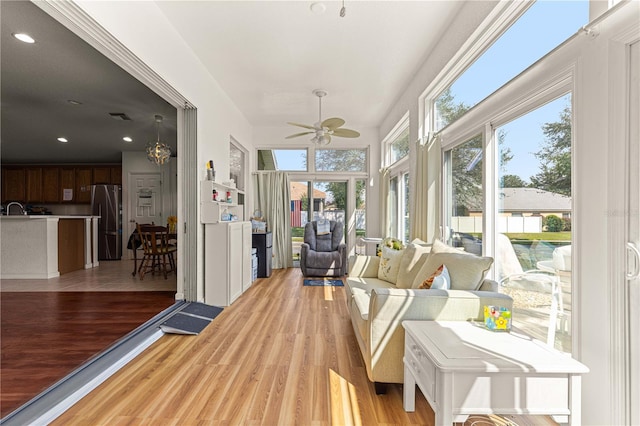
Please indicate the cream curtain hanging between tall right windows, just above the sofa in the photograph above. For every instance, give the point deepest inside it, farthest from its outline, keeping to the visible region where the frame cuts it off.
(425, 210)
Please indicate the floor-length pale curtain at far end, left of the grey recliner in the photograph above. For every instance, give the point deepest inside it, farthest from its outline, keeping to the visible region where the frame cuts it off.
(273, 198)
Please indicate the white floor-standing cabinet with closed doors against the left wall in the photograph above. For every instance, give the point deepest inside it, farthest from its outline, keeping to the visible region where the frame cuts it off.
(227, 261)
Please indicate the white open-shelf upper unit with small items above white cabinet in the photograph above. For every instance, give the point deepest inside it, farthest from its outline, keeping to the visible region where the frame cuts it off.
(220, 203)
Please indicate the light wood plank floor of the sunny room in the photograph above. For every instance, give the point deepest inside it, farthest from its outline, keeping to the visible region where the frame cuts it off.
(281, 354)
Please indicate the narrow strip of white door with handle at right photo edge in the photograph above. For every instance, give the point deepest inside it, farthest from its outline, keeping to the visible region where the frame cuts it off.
(633, 242)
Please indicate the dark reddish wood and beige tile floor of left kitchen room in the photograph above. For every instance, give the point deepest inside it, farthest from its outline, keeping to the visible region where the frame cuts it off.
(51, 327)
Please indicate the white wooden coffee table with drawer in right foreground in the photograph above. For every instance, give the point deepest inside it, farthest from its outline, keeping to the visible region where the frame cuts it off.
(464, 369)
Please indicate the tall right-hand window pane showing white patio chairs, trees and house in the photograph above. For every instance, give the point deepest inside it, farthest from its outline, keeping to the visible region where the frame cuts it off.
(533, 229)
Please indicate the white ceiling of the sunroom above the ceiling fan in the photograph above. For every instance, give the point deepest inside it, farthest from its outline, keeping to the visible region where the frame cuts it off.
(269, 55)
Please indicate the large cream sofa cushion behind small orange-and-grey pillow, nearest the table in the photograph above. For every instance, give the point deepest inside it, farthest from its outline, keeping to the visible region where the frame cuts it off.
(466, 270)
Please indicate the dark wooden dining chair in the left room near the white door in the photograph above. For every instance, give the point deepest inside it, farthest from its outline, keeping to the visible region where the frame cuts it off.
(158, 253)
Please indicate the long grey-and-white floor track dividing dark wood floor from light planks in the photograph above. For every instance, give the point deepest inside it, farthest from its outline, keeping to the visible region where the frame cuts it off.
(55, 400)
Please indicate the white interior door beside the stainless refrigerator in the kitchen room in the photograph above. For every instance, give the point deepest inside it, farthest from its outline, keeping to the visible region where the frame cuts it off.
(145, 201)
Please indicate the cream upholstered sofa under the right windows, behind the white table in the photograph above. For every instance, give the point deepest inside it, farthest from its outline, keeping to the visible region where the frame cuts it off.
(378, 306)
